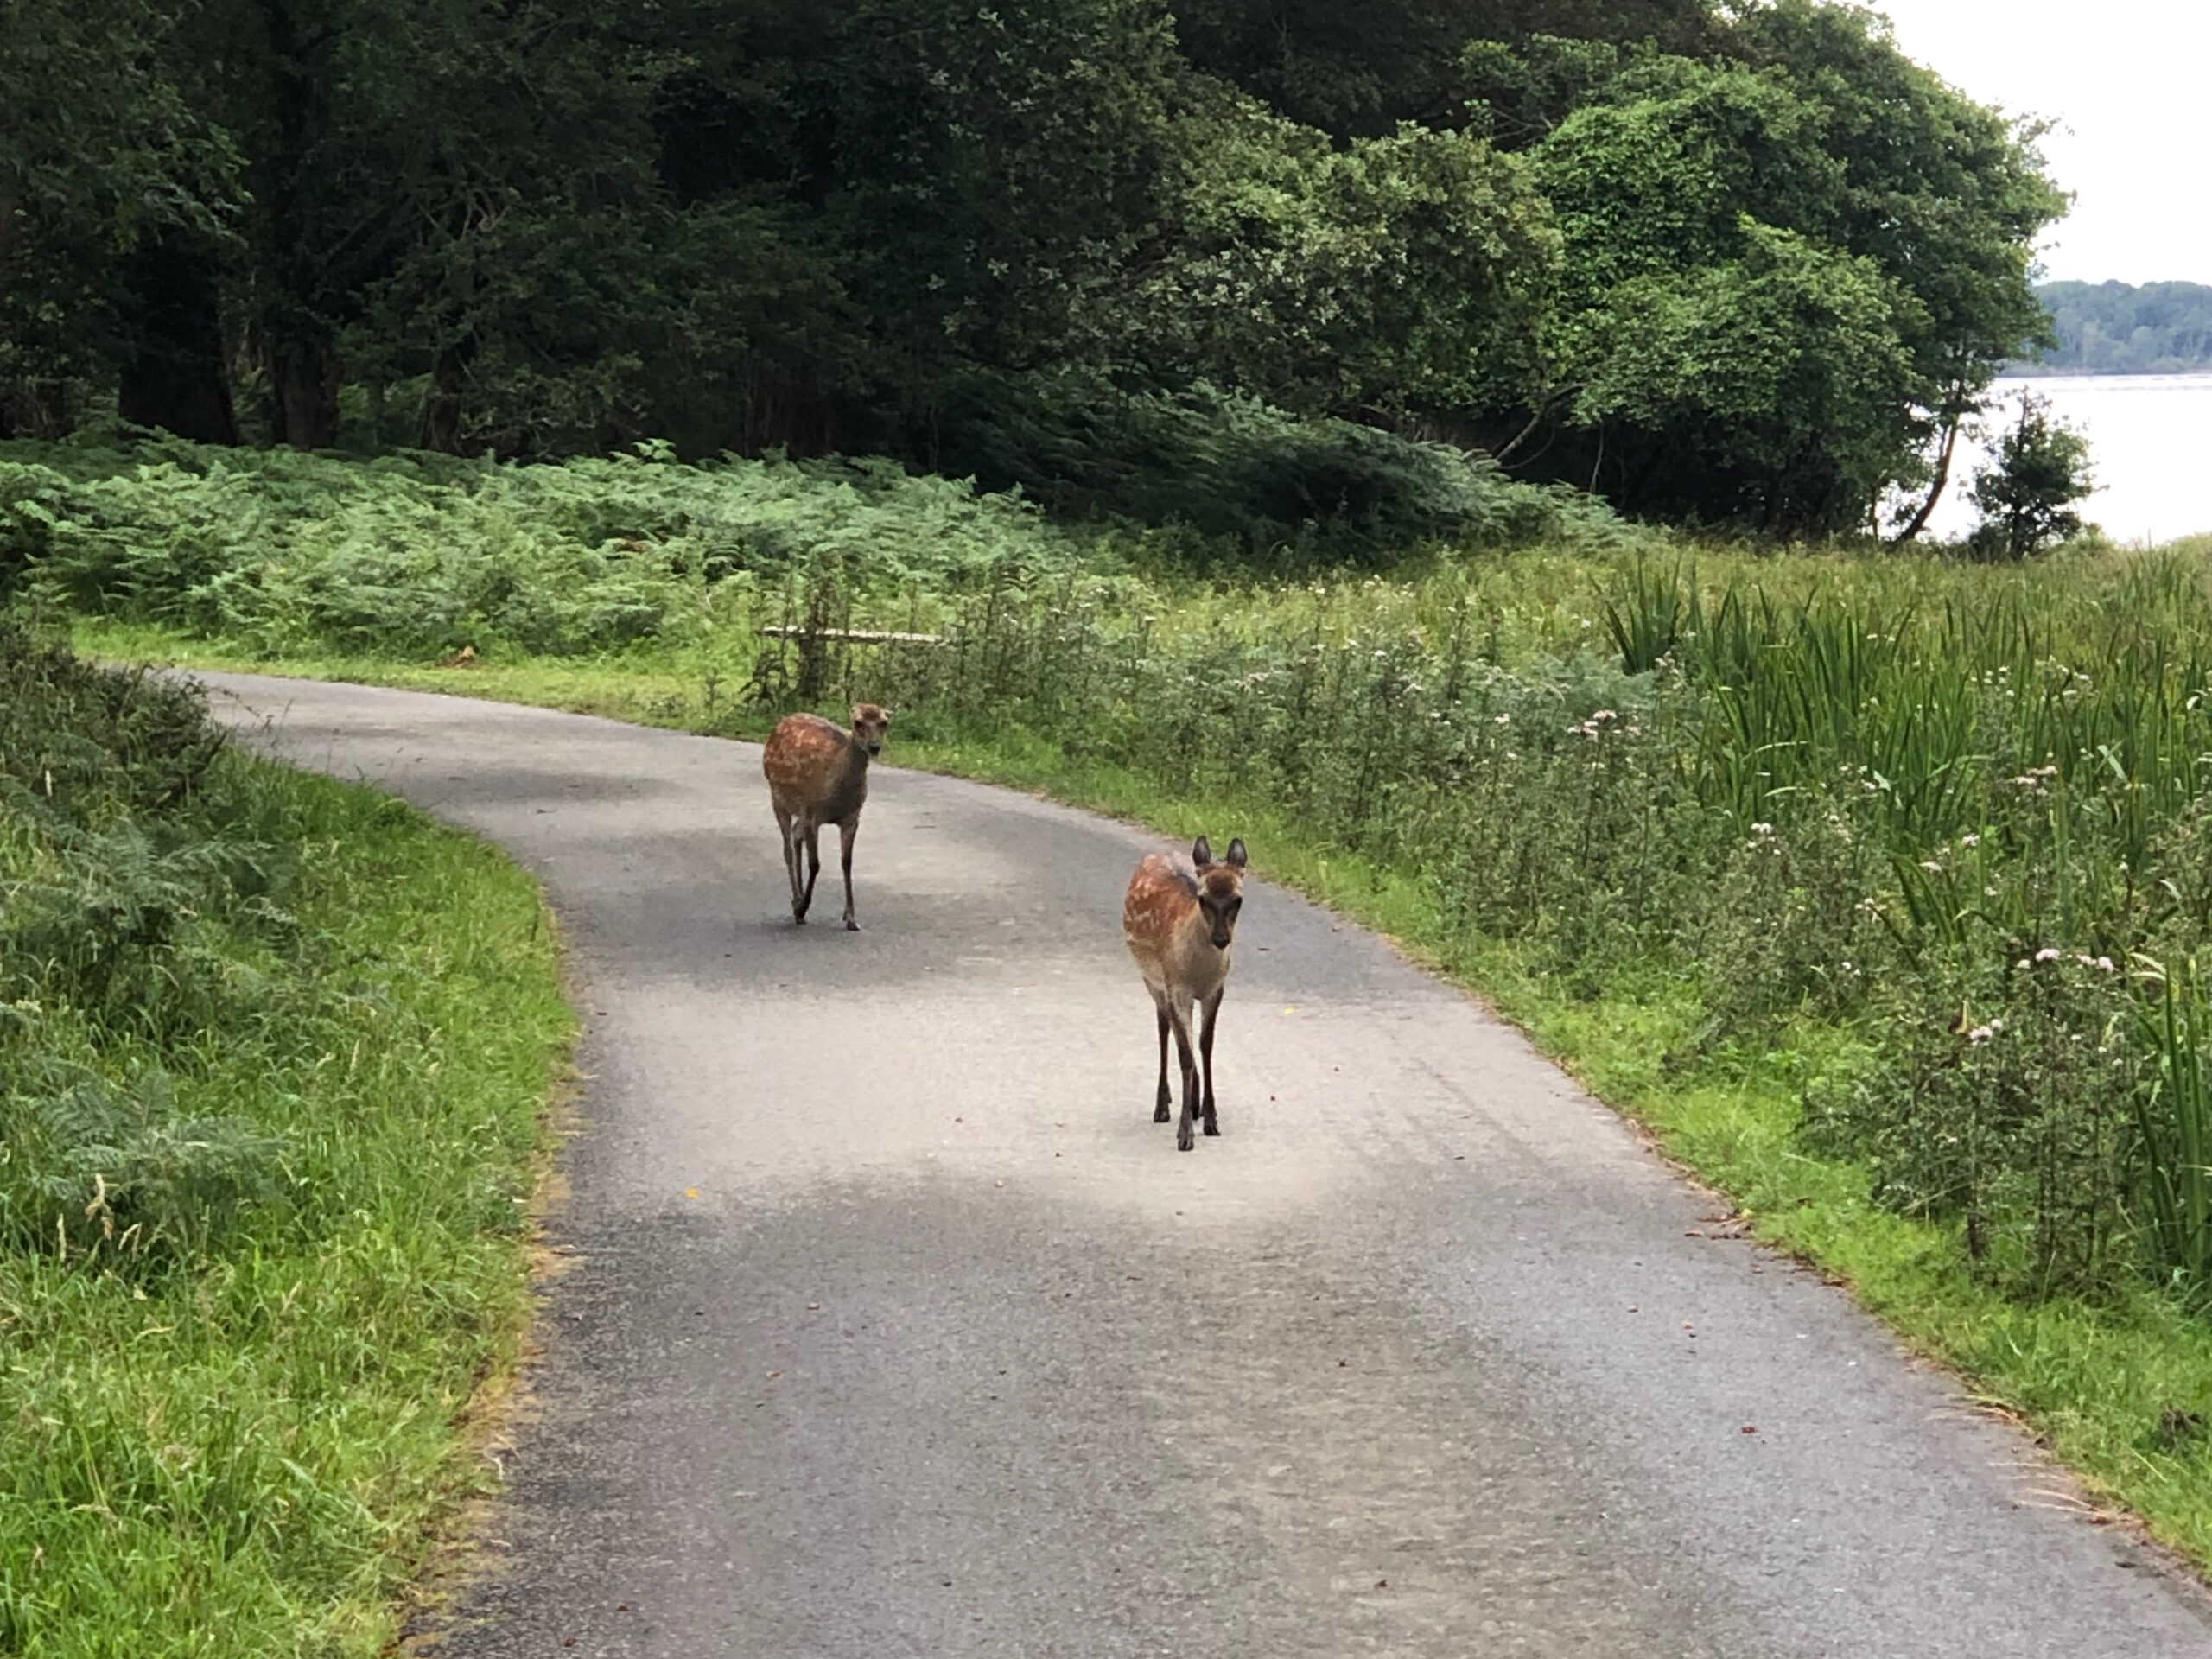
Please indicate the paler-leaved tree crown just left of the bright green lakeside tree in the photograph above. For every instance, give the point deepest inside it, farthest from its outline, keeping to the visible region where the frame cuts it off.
(1392, 280)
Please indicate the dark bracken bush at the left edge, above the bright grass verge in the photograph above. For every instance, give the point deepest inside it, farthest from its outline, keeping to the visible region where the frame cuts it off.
(134, 901)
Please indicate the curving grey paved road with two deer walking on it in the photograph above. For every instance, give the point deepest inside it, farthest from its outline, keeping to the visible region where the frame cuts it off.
(897, 1326)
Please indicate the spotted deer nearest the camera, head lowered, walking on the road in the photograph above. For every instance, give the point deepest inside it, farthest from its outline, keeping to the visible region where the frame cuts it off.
(1180, 921)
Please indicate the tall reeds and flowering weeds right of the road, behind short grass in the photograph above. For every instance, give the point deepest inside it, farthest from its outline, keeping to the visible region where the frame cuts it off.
(1950, 820)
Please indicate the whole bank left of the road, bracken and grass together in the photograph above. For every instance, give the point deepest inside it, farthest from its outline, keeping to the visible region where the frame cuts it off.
(275, 1061)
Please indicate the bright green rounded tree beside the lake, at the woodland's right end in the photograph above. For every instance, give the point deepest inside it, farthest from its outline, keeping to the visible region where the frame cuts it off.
(1788, 273)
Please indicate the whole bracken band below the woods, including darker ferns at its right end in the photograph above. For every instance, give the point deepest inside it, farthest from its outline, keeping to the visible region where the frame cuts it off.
(426, 554)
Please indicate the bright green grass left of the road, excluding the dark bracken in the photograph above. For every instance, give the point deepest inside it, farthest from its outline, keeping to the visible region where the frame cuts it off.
(249, 1441)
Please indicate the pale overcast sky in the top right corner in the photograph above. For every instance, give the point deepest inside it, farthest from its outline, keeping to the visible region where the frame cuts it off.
(2129, 85)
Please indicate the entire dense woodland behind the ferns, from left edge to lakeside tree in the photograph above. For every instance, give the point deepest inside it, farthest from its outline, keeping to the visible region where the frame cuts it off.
(1724, 264)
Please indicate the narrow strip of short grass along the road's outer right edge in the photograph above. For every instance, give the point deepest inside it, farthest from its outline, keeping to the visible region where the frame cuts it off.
(2114, 1384)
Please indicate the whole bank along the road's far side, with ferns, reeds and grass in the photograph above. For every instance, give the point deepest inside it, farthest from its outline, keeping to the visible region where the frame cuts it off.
(1875, 886)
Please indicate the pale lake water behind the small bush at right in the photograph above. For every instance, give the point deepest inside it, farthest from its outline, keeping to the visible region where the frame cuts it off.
(2151, 450)
